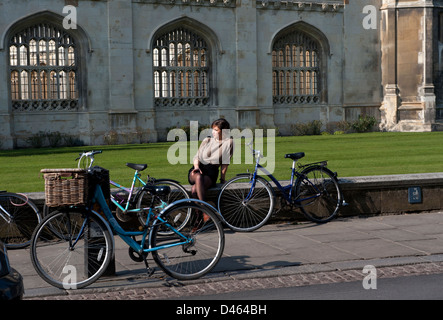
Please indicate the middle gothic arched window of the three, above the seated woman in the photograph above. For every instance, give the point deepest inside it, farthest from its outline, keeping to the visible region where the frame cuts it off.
(181, 69)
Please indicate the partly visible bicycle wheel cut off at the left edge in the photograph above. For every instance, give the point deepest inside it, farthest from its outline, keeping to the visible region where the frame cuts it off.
(19, 221)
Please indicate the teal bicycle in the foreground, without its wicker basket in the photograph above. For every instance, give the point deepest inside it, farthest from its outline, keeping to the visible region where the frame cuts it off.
(72, 247)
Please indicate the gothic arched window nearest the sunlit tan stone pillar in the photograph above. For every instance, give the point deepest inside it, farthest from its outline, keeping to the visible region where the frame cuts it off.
(296, 69)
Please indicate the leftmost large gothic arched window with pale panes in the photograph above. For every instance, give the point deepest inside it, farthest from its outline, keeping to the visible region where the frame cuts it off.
(43, 69)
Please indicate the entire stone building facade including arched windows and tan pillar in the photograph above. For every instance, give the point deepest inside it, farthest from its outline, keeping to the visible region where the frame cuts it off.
(86, 68)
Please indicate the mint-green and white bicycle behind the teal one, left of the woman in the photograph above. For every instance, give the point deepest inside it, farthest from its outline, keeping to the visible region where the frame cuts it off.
(129, 200)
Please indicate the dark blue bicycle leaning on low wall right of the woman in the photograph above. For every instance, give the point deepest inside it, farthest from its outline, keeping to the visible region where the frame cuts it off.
(246, 202)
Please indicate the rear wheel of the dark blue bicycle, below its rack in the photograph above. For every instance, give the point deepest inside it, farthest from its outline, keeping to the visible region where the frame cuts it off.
(318, 194)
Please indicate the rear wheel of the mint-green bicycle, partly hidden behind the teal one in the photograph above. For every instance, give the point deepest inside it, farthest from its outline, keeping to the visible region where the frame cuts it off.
(178, 192)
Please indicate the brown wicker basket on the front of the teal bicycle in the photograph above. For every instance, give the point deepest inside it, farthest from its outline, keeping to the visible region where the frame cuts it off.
(65, 187)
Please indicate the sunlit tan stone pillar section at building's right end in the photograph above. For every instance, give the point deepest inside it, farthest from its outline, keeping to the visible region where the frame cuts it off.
(411, 76)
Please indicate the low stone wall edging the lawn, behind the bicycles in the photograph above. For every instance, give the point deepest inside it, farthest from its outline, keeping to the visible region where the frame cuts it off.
(366, 195)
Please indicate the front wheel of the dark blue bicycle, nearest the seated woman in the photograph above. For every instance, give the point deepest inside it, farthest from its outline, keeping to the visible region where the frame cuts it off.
(243, 213)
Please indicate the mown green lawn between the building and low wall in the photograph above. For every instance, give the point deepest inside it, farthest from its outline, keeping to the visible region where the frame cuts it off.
(348, 154)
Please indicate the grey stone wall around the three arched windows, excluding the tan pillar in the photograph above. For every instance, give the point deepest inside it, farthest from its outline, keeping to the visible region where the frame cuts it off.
(116, 65)
